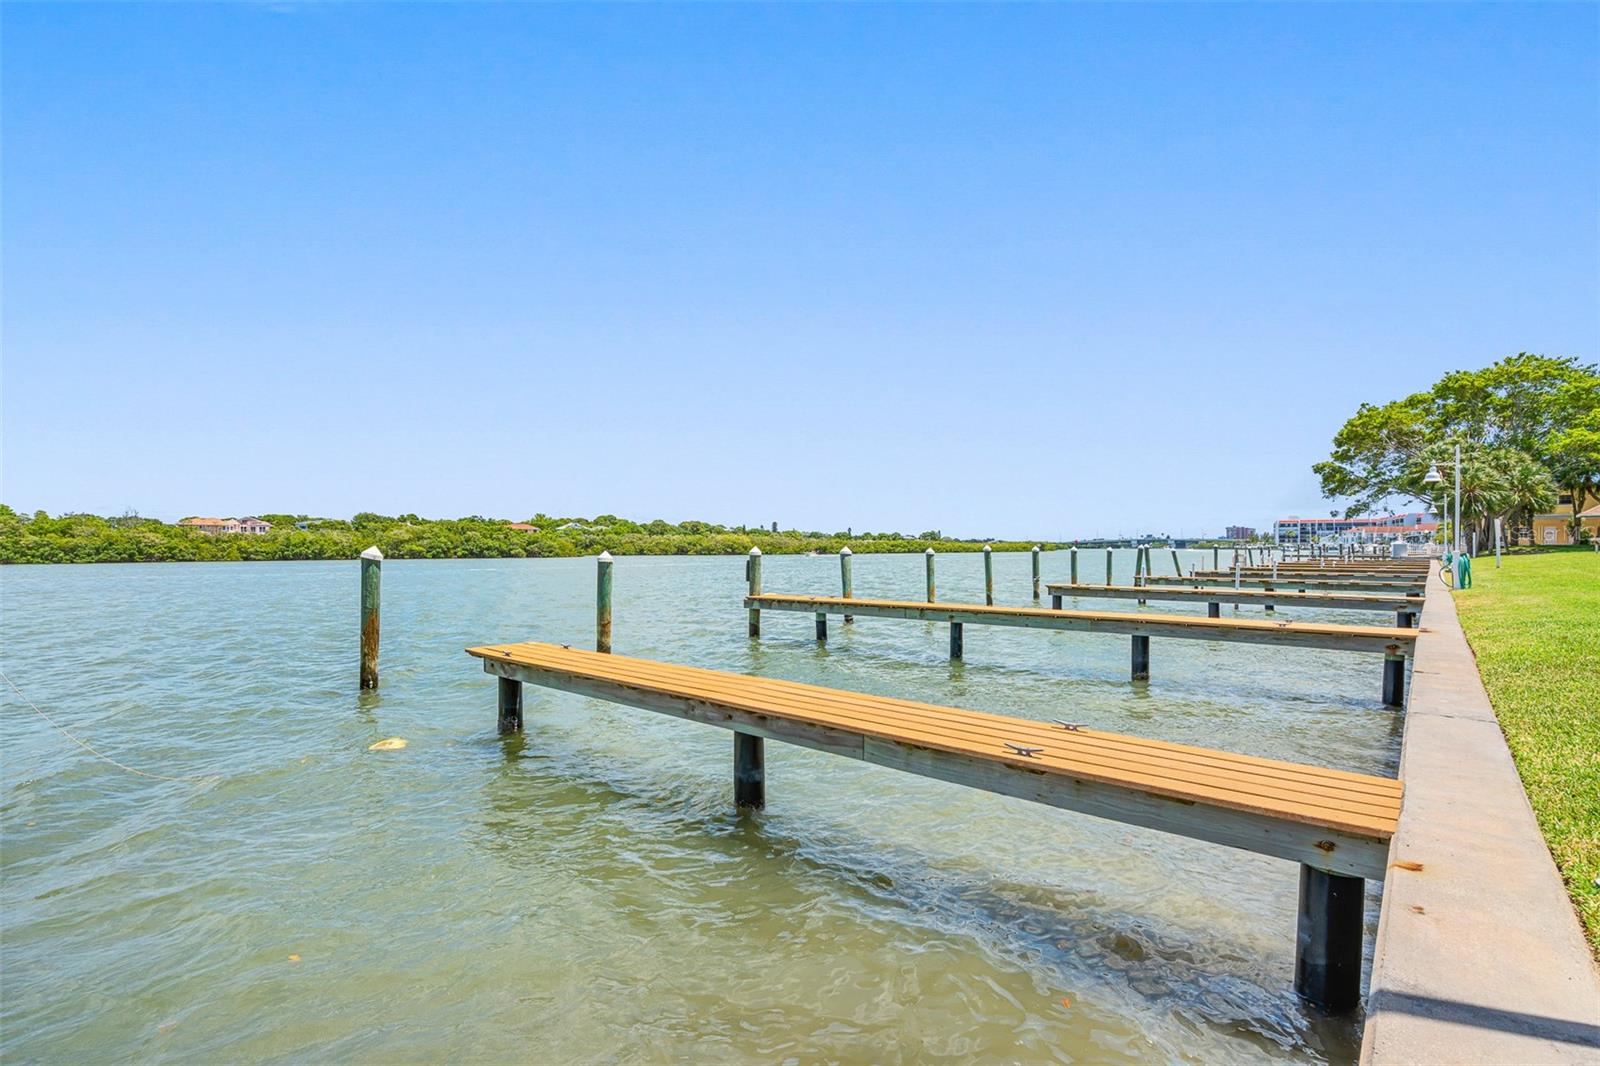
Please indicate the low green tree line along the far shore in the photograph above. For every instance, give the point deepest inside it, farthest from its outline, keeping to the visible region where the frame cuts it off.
(70, 539)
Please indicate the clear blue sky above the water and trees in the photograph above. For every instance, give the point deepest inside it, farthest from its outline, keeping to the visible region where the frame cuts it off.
(1034, 271)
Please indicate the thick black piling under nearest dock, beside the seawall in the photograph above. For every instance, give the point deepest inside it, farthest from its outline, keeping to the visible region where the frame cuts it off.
(1329, 940)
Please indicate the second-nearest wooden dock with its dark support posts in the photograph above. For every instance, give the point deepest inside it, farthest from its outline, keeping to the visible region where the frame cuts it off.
(1388, 641)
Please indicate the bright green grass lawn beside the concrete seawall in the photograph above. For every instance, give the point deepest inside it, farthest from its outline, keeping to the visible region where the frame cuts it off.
(1535, 630)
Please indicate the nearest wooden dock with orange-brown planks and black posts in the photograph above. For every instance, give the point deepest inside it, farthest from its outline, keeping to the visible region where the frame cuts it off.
(1334, 824)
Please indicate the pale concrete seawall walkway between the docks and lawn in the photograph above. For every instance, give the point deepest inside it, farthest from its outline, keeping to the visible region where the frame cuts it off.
(1479, 955)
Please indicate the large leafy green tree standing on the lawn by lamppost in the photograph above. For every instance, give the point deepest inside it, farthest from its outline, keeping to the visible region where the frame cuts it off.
(1529, 431)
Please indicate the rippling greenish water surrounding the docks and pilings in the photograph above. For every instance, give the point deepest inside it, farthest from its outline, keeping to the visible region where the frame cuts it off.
(588, 894)
